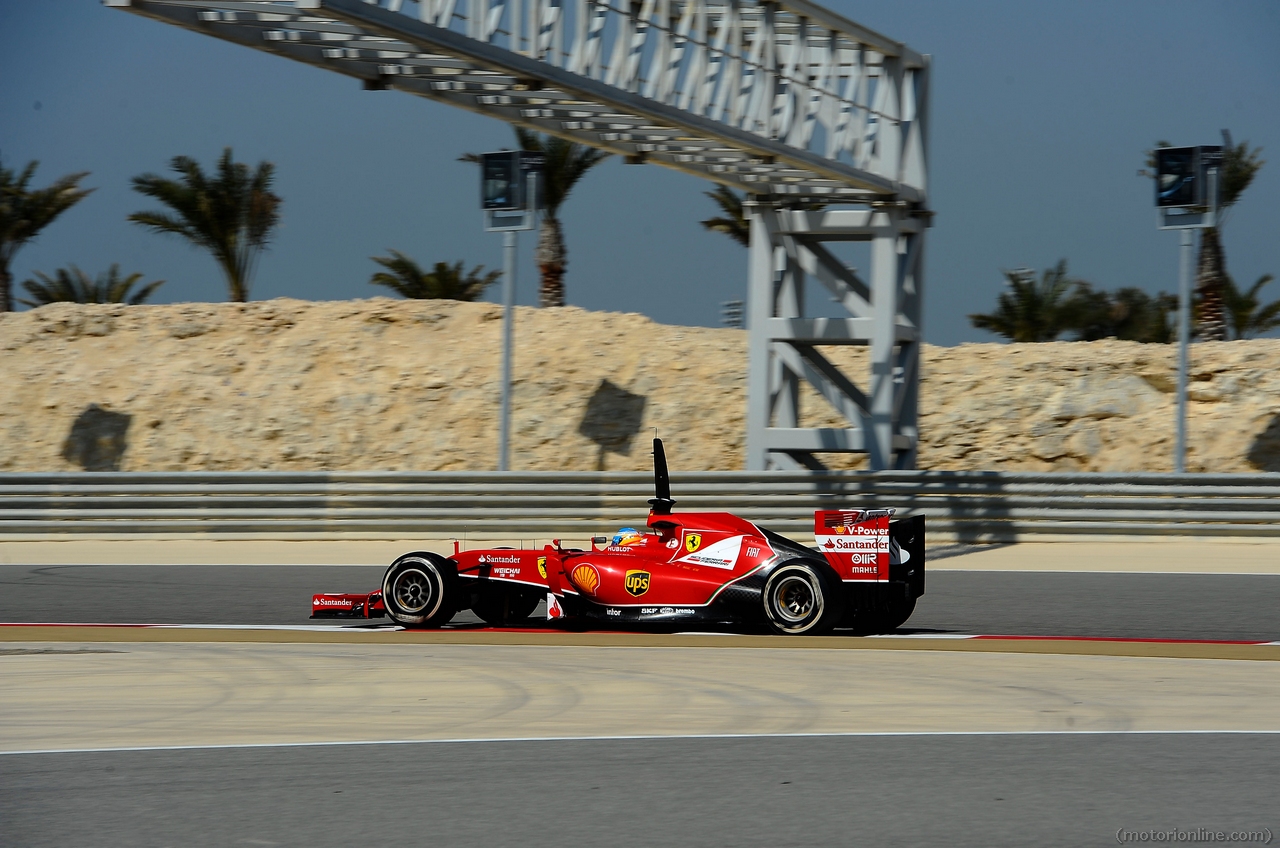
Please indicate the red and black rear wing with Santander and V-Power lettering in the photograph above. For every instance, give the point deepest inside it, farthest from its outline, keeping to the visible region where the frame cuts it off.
(868, 545)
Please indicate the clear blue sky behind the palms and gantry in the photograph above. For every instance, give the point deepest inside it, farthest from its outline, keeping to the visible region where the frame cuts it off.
(1041, 113)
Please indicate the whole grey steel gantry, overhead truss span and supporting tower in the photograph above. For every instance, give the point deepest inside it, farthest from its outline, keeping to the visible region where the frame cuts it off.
(788, 102)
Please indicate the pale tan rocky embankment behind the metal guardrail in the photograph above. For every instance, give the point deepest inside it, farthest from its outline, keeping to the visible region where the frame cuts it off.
(386, 385)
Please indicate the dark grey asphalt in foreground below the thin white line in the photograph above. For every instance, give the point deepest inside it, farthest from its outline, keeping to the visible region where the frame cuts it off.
(1077, 790)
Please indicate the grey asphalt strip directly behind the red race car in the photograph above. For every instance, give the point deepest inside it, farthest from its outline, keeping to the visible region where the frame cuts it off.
(1165, 607)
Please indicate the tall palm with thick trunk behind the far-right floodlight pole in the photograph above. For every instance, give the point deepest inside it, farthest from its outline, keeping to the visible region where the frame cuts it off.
(1241, 165)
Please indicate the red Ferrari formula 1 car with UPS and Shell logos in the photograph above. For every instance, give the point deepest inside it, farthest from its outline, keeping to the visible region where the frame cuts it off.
(684, 569)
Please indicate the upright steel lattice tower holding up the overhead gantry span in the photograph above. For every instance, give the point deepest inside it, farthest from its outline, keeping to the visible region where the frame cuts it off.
(787, 248)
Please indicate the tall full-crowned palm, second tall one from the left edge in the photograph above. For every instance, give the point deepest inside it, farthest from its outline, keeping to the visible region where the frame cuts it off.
(231, 215)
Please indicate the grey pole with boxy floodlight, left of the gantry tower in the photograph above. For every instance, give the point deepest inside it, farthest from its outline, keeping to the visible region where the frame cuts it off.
(510, 199)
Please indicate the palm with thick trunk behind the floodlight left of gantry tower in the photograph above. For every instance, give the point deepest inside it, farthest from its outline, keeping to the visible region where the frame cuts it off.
(566, 165)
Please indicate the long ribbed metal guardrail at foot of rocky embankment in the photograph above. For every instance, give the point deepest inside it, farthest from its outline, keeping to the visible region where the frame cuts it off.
(962, 505)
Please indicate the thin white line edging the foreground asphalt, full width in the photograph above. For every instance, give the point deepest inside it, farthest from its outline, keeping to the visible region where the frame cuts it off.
(849, 735)
